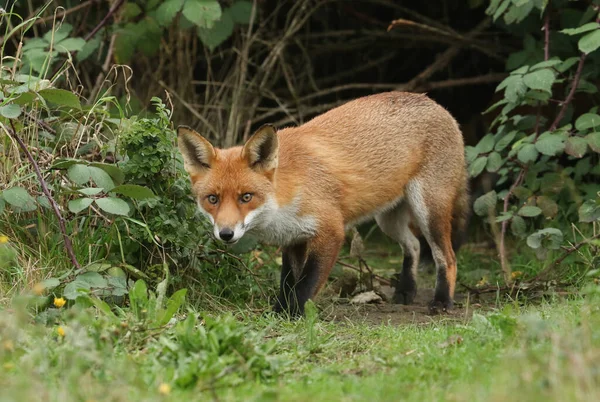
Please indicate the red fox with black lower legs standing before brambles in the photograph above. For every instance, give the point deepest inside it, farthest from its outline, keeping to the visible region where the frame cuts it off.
(397, 157)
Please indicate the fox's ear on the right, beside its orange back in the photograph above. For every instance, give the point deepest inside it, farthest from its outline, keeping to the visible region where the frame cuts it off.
(262, 149)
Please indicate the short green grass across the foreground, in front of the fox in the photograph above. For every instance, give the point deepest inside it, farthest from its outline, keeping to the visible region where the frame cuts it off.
(548, 352)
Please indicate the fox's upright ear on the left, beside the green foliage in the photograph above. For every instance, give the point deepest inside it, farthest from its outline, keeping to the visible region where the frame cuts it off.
(198, 154)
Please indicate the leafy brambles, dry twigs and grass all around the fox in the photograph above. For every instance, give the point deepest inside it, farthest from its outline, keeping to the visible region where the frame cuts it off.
(108, 273)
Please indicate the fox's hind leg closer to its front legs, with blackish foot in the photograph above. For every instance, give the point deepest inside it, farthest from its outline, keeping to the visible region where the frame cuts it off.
(395, 224)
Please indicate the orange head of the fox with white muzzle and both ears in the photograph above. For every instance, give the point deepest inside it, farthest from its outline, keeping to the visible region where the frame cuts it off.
(234, 187)
